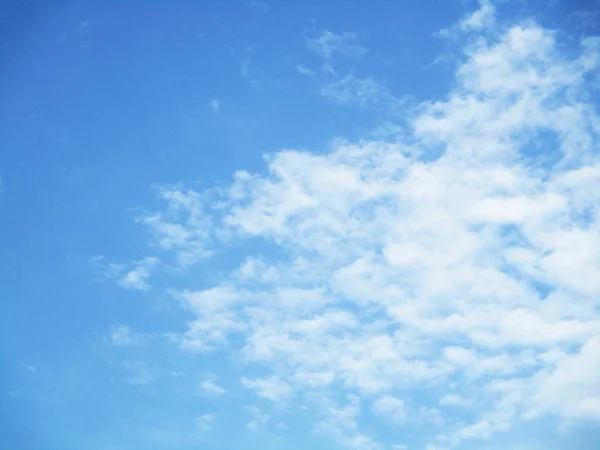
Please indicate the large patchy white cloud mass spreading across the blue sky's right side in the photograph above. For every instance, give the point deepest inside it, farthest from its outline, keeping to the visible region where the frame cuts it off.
(466, 255)
